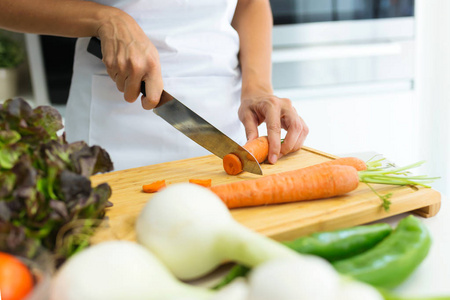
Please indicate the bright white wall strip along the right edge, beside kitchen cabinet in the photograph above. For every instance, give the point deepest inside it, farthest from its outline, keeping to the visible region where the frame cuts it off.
(433, 88)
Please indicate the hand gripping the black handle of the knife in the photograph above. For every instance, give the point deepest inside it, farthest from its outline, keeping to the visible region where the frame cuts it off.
(130, 58)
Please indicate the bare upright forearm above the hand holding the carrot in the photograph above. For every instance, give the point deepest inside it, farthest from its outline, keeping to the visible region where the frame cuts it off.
(253, 22)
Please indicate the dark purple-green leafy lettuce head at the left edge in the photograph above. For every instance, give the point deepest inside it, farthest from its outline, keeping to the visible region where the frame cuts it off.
(46, 197)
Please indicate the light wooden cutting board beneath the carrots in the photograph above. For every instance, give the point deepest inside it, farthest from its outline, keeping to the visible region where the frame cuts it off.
(282, 221)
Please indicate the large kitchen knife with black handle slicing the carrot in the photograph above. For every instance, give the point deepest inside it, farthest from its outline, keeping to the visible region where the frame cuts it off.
(192, 125)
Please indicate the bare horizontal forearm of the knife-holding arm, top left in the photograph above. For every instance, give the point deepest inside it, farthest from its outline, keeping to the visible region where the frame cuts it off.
(70, 18)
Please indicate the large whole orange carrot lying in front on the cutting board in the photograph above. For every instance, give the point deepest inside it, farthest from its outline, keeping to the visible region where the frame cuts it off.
(314, 182)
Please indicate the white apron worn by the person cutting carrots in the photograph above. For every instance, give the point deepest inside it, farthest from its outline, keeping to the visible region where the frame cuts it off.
(198, 51)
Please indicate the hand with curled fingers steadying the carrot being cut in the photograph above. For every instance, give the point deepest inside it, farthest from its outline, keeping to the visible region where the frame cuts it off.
(277, 113)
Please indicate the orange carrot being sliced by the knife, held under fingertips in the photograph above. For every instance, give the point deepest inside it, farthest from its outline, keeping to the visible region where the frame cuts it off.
(259, 147)
